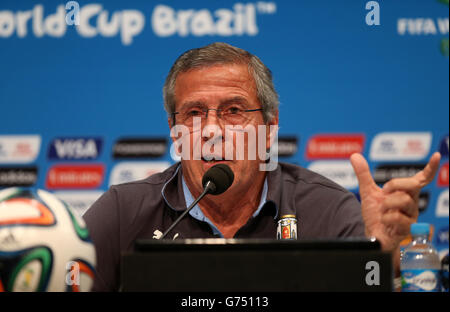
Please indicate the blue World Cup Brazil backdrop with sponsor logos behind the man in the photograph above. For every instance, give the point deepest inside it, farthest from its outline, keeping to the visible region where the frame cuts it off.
(81, 105)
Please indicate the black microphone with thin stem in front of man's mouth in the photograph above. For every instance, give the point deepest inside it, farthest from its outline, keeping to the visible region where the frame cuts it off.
(215, 181)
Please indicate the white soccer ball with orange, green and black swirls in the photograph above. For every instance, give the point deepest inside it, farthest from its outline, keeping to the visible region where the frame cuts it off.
(44, 245)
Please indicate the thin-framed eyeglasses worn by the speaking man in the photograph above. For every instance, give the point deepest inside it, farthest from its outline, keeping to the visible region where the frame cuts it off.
(232, 115)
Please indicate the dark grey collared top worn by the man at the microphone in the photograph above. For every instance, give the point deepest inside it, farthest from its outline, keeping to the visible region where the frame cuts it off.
(137, 209)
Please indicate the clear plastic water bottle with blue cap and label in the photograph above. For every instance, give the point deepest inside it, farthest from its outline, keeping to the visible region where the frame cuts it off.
(420, 264)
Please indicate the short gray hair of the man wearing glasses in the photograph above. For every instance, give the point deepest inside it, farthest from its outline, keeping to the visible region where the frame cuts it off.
(223, 53)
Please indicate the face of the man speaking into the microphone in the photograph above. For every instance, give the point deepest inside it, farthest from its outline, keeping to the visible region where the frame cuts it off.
(218, 87)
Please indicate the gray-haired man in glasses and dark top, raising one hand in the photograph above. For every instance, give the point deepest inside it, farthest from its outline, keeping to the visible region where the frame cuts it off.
(218, 86)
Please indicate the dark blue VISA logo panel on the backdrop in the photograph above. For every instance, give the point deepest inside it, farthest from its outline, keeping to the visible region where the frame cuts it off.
(75, 148)
